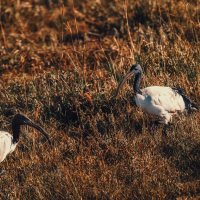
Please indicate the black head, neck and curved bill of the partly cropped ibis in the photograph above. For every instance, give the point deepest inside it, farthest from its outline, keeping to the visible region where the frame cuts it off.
(19, 120)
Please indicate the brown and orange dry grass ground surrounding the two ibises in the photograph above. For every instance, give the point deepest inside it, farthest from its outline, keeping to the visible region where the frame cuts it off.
(60, 64)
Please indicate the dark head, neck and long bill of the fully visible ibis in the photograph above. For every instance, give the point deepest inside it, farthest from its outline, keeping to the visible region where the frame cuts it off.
(137, 70)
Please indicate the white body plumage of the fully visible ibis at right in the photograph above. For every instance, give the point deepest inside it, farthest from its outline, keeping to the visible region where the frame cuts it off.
(160, 101)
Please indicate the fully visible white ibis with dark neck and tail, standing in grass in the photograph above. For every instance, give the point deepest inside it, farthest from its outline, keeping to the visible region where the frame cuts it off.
(160, 101)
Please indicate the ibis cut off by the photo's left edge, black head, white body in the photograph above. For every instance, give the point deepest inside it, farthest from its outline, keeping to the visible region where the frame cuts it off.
(9, 142)
